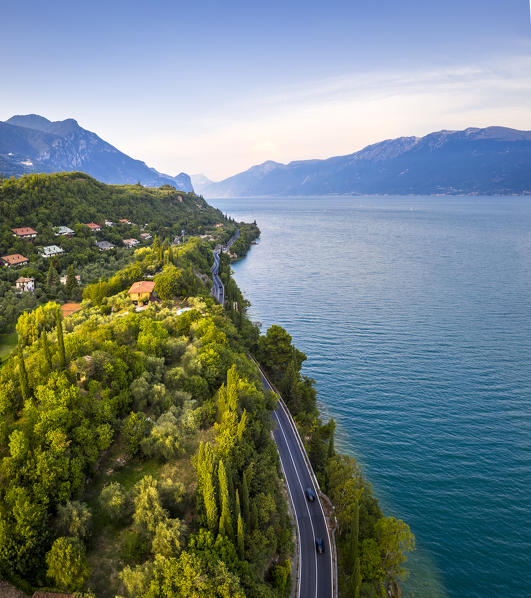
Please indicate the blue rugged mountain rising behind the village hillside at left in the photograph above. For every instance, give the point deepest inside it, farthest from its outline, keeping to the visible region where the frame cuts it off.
(32, 143)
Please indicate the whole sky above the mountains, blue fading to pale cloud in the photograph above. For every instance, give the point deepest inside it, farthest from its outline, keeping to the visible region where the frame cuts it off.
(217, 86)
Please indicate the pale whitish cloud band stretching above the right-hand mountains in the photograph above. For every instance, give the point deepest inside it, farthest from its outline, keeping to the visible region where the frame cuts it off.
(339, 115)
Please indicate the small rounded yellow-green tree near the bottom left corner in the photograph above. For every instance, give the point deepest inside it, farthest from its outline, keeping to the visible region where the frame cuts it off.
(67, 564)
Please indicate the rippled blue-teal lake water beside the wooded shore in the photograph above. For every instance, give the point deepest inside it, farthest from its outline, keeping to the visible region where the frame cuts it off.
(415, 316)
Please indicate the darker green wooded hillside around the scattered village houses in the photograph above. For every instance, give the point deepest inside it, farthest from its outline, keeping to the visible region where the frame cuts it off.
(45, 202)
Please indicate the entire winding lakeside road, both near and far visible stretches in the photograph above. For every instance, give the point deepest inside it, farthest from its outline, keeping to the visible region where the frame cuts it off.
(315, 572)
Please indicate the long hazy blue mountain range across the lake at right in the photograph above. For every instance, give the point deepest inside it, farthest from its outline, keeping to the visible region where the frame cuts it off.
(494, 160)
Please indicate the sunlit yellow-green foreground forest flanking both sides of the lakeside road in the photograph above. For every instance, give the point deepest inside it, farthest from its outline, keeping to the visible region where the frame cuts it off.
(136, 456)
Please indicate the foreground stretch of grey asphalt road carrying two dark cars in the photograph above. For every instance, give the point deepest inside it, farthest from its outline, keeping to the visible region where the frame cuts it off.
(315, 569)
